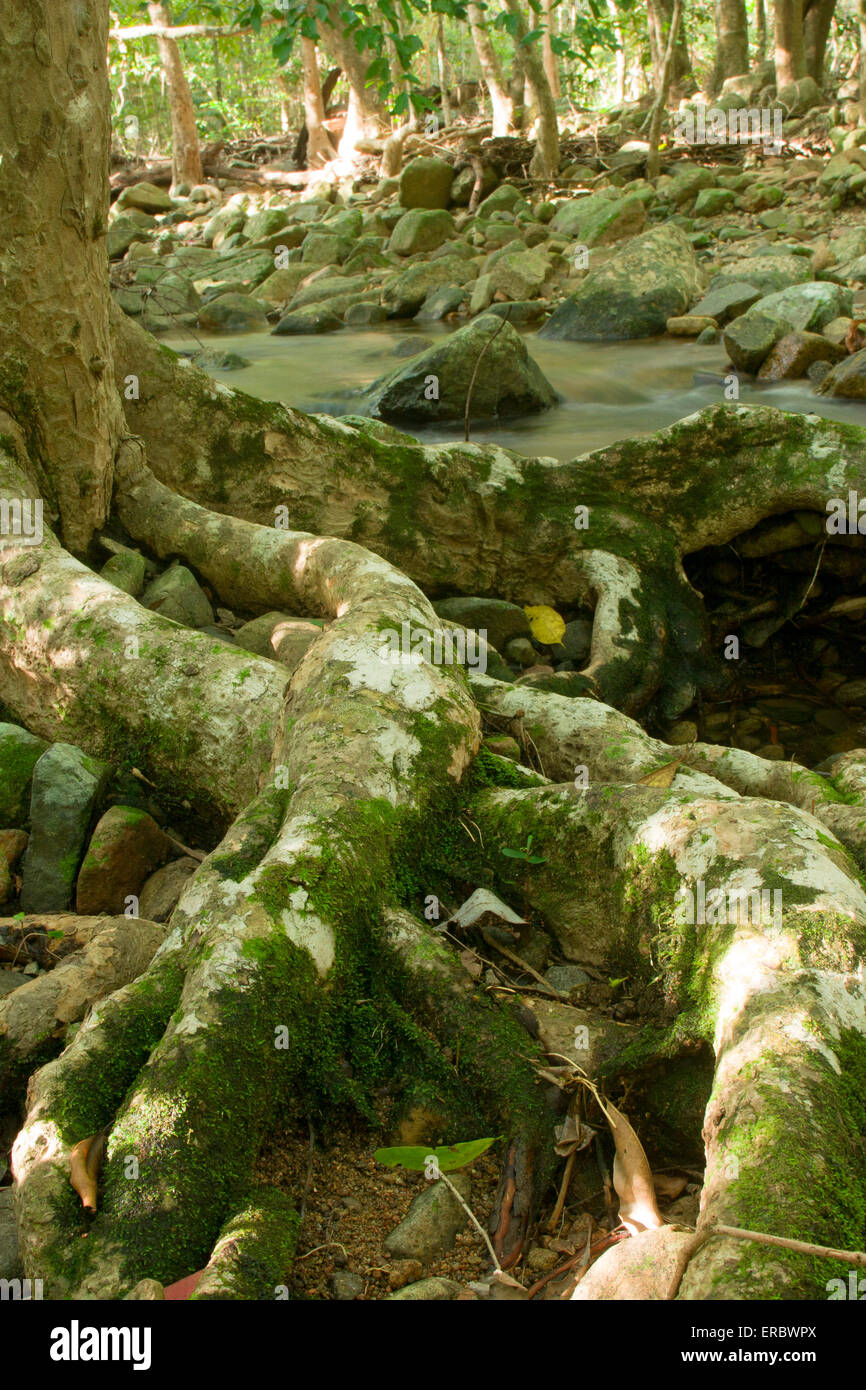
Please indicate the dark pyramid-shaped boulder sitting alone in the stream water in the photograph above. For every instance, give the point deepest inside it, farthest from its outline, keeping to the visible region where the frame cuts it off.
(434, 386)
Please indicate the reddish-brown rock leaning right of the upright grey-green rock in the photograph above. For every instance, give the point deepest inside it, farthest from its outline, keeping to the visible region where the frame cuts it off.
(124, 851)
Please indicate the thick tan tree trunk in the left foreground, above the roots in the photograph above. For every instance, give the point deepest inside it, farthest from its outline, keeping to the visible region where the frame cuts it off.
(56, 372)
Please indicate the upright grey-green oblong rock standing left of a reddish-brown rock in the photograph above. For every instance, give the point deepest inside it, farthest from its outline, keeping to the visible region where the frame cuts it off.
(67, 787)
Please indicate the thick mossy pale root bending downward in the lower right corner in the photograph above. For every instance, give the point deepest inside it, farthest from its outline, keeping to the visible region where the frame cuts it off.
(774, 985)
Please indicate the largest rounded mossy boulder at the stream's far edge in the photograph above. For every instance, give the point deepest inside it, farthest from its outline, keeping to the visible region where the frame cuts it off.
(650, 281)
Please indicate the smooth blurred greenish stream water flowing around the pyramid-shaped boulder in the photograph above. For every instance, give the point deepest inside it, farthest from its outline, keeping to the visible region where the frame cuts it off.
(610, 391)
